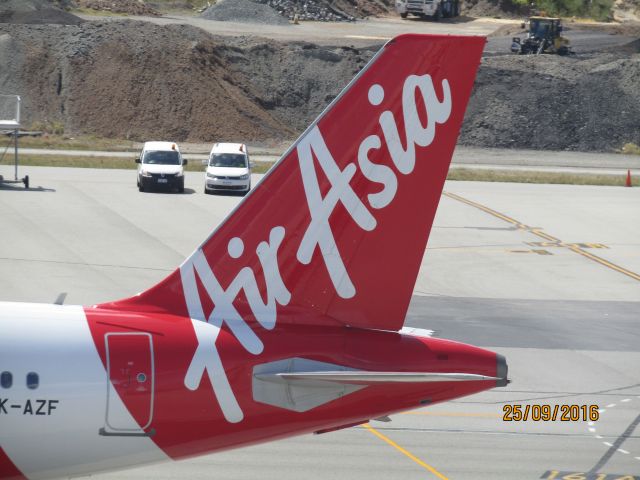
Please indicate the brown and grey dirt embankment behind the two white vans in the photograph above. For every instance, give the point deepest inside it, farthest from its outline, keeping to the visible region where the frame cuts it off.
(140, 81)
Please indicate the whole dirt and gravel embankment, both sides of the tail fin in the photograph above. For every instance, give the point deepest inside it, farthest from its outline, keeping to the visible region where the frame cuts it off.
(141, 81)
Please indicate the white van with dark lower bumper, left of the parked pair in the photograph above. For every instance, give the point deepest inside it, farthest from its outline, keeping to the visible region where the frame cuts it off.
(160, 165)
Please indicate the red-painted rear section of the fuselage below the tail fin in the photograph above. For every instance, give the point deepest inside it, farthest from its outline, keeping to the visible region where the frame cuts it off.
(188, 422)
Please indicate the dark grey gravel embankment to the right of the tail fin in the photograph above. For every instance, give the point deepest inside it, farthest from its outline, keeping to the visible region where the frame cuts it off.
(557, 103)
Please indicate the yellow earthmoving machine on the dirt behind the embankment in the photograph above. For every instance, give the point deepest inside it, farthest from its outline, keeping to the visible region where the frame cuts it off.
(543, 37)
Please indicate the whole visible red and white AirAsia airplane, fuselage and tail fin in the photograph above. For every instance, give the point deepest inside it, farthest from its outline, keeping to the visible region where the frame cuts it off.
(287, 319)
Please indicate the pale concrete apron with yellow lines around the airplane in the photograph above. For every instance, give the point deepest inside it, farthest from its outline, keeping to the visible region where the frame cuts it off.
(548, 275)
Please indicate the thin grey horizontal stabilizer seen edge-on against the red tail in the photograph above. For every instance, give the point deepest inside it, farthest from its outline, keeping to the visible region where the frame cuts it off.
(374, 377)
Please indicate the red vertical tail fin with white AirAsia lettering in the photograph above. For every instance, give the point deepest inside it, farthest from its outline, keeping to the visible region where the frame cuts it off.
(335, 232)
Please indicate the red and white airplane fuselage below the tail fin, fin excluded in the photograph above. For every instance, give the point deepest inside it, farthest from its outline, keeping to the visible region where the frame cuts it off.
(93, 390)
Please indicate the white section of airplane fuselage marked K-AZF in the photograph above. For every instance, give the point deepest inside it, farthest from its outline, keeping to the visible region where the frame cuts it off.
(52, 430)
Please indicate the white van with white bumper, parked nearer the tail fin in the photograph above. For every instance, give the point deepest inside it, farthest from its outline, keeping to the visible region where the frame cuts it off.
(228, 169)
